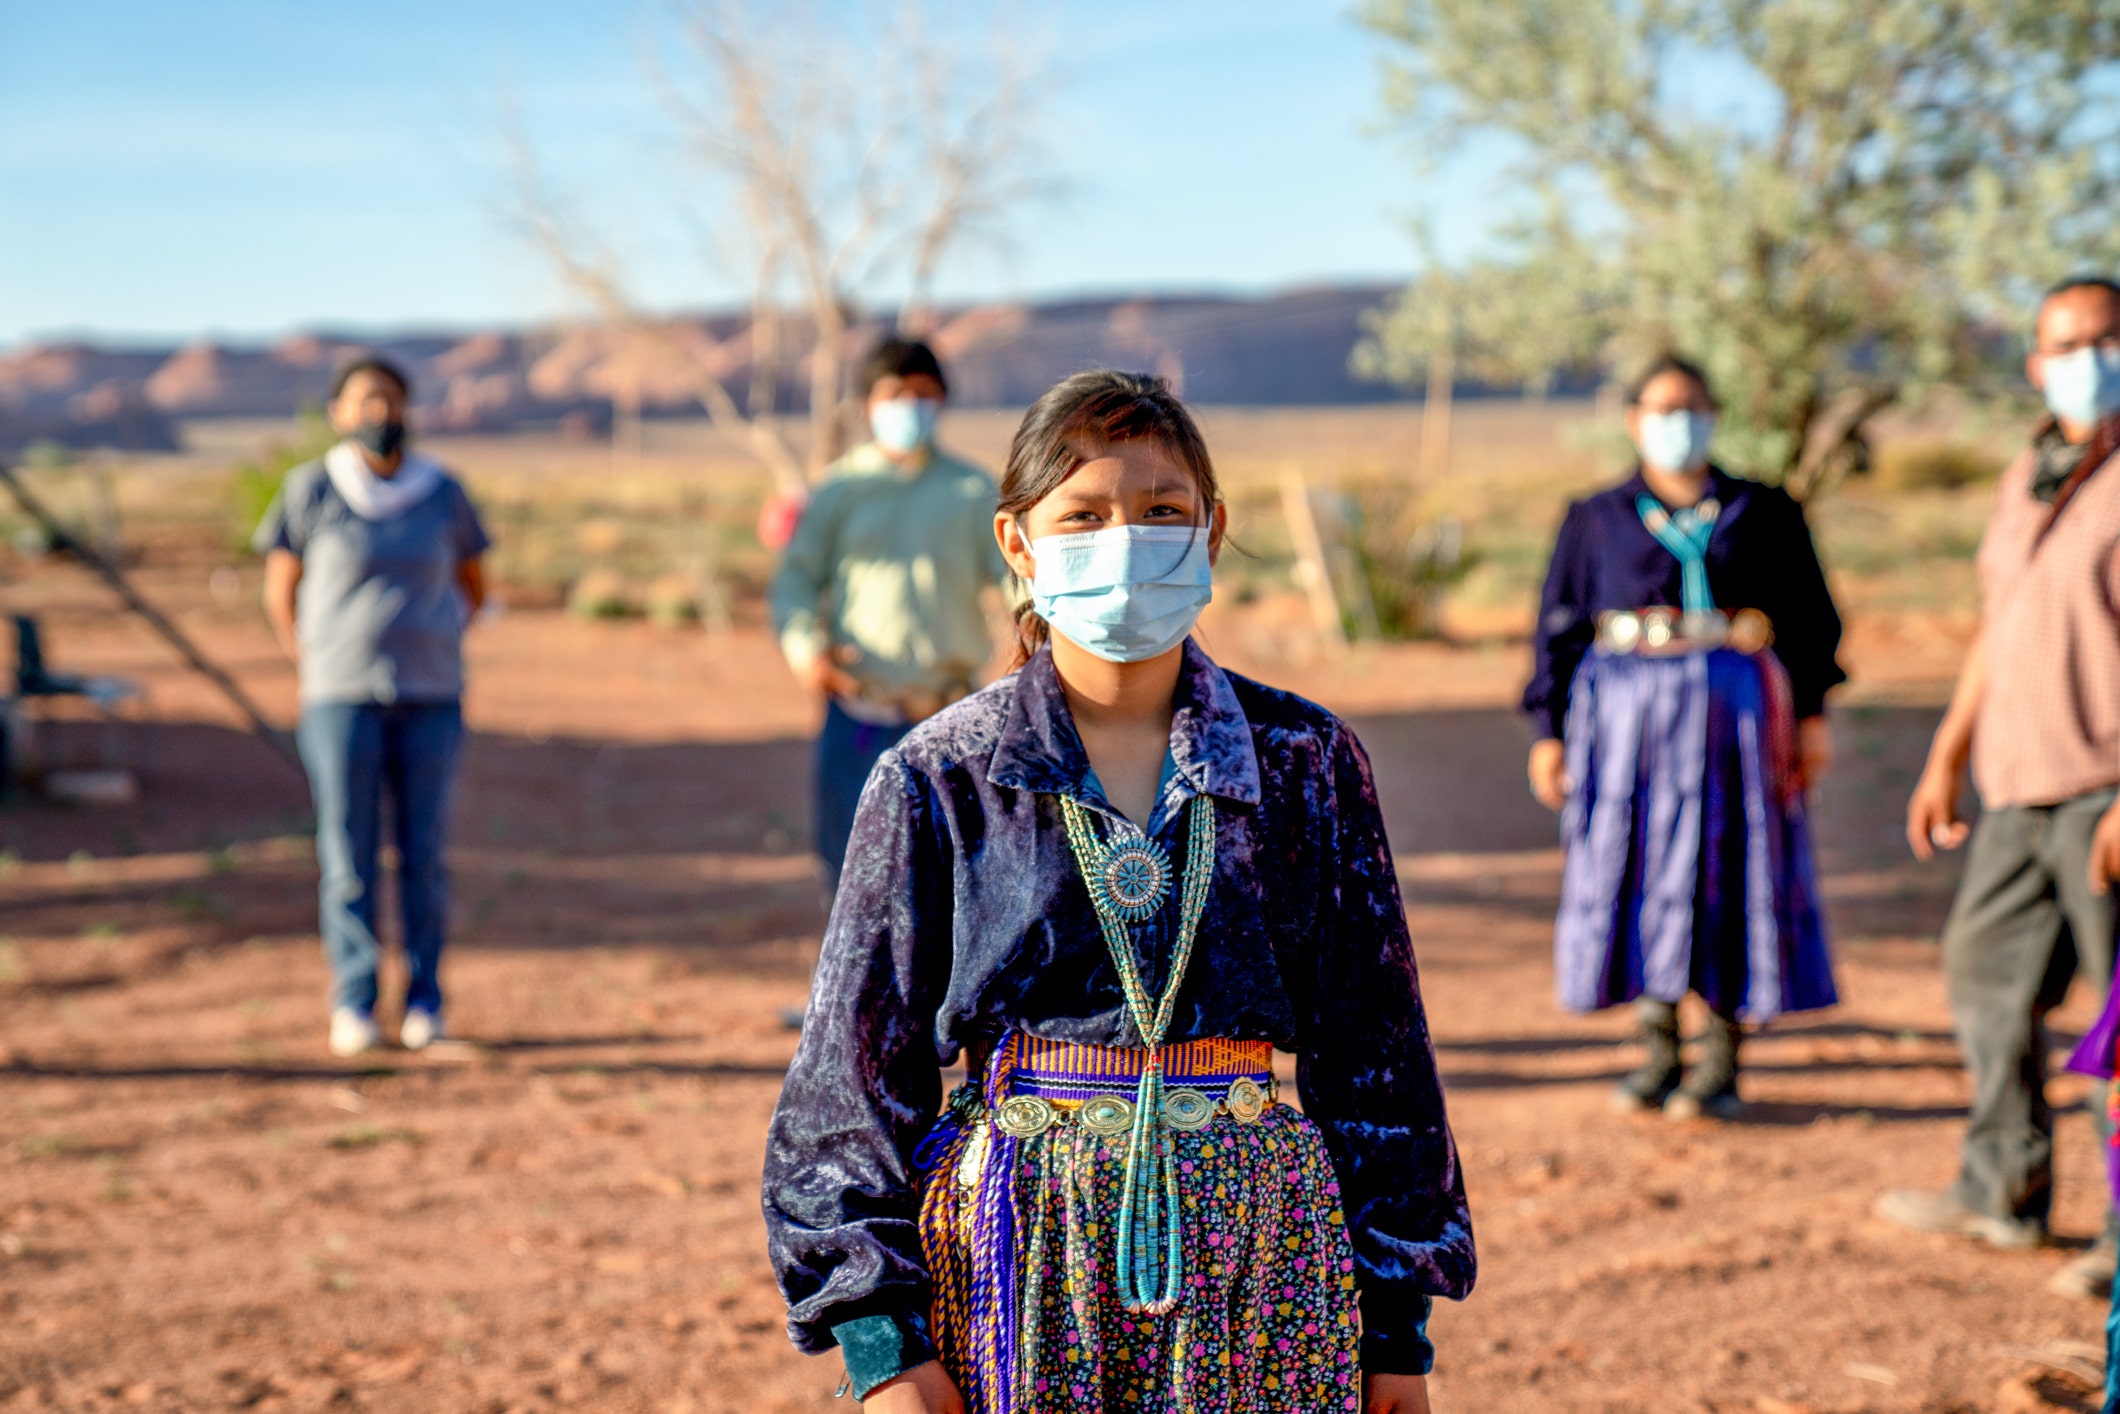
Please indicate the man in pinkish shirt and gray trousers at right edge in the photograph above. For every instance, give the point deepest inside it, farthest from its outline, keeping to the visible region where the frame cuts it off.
(2038, 715)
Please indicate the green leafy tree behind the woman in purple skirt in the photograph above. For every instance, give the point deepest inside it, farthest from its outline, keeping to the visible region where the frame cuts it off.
(1869, 194)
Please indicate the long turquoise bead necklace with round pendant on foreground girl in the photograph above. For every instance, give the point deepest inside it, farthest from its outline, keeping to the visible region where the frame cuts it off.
(1129, 881)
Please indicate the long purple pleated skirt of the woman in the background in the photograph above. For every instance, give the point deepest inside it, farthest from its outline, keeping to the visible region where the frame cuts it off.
(1689, 858)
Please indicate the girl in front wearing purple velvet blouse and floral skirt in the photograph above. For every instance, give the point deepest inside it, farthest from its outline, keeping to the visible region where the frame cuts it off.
(1116, 881)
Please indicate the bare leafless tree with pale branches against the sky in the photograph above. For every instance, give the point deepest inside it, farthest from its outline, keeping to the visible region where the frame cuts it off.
(845, 152)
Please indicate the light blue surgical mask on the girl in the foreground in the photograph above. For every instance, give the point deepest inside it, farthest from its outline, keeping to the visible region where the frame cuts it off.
(1125, 595)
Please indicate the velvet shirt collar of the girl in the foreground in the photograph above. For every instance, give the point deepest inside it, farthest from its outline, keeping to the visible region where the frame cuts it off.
(1209, 735)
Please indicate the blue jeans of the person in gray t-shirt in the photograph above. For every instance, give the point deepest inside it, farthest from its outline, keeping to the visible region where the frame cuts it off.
(357, 752)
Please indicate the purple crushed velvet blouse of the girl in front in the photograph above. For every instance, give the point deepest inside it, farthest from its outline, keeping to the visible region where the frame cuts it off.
(961, 915)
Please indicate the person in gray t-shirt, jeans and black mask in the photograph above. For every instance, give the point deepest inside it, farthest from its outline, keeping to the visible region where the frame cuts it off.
(372, 573)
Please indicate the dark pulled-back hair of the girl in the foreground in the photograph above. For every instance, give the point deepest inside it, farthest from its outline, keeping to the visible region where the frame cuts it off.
(1078, 421)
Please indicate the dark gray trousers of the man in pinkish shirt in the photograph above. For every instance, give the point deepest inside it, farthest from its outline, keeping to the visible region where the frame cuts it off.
(2021, 927)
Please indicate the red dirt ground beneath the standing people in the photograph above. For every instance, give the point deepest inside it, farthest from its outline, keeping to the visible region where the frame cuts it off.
(202, 1212)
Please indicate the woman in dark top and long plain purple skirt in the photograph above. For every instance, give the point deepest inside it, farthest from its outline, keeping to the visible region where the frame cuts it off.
(1684, 650)
